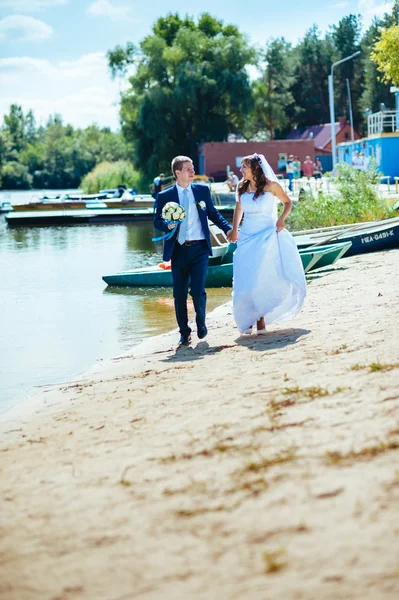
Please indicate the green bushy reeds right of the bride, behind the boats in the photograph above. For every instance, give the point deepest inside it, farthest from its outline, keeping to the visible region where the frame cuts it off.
(356, 200)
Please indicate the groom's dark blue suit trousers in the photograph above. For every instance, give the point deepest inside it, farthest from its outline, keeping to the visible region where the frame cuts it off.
(189, 265)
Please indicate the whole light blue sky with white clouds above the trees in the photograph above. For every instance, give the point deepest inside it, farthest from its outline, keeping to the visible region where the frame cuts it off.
(52, 52)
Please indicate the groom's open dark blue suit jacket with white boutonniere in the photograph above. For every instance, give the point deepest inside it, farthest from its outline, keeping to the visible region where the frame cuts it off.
(201, 193)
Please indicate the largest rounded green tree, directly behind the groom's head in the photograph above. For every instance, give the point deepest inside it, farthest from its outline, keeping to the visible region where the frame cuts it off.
(190, 85)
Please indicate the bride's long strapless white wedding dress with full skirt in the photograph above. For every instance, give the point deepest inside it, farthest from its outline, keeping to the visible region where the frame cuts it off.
(268, 276)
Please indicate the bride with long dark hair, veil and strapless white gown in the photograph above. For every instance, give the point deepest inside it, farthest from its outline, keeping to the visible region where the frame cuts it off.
(268, 277)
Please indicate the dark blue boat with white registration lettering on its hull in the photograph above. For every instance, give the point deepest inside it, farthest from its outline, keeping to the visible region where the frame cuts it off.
(365, 237)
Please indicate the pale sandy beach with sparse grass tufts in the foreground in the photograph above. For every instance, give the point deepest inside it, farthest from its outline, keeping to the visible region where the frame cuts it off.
(241, 468)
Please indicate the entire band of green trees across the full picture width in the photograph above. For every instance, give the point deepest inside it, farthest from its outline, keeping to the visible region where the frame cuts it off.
(189, 83)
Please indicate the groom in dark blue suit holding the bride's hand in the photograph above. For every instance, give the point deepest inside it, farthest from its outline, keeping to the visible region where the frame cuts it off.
(190, 246)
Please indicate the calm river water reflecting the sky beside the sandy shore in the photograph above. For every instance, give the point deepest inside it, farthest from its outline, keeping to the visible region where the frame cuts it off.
(58, 316)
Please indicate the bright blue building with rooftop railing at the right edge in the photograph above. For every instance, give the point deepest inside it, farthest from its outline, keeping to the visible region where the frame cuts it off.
(381, 143)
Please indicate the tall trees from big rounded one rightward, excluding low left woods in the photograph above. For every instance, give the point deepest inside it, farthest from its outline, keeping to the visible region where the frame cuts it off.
(189, 83)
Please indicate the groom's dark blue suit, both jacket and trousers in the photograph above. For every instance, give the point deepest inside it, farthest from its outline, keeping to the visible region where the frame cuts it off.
(189, 262)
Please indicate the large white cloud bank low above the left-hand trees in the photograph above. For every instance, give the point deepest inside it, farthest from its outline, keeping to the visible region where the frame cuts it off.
(81, 91)
